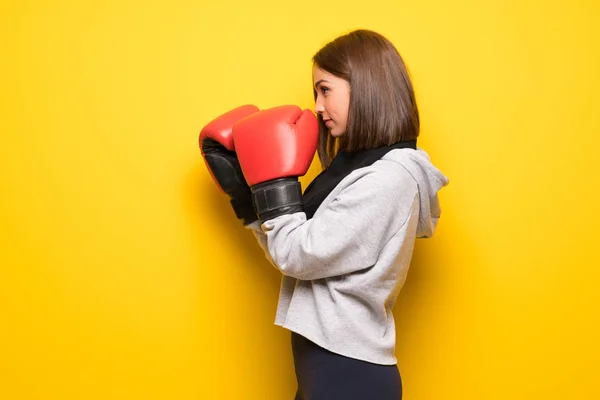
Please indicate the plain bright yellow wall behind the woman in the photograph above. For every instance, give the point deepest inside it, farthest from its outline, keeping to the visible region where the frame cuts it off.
(125, 275)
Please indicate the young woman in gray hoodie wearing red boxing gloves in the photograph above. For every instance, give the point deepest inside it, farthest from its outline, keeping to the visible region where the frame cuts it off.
(344, 246)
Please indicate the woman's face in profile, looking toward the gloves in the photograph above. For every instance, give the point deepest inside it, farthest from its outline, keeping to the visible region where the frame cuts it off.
(333, 100)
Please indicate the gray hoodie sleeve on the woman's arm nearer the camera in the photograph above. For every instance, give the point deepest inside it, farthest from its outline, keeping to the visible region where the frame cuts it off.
(348, 234)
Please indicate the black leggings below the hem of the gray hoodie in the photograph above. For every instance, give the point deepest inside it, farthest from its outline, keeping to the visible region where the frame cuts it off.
(323, 375)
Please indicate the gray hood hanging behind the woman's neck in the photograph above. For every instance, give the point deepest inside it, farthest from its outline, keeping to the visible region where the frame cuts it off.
(429, 181)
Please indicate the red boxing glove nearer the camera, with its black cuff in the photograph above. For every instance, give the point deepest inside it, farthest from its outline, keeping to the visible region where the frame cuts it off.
(275, 147)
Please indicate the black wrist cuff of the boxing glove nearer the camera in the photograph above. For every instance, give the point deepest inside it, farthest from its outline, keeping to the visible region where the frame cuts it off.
(274, 198)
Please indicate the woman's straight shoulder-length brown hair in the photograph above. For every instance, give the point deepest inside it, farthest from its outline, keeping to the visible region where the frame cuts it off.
(383, 109)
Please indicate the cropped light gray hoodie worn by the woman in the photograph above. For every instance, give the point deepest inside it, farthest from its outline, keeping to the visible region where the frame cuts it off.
(344, 268)
